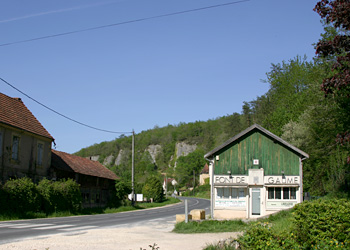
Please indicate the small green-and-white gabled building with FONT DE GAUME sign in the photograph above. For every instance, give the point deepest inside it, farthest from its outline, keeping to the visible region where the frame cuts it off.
(254, 174)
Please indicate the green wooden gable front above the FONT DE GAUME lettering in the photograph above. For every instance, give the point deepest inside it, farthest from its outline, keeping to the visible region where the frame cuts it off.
(273, 156)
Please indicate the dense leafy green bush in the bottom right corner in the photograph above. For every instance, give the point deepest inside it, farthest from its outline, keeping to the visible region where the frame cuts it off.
(322, 220)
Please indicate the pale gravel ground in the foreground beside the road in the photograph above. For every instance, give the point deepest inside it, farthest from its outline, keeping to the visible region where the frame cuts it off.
(135, 237)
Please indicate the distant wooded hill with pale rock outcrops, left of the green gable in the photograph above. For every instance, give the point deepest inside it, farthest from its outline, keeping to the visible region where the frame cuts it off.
(157, 149)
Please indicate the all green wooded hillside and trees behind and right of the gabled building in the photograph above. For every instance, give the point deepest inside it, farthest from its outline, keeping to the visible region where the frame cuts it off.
(294, 108)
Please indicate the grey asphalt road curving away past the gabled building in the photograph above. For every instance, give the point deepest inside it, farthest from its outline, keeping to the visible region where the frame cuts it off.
(11, 231)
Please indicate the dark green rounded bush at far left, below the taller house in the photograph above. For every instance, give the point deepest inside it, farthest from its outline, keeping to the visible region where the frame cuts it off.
(21, 196)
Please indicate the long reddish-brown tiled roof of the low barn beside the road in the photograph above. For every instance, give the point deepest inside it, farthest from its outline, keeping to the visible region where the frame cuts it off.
(77, 164)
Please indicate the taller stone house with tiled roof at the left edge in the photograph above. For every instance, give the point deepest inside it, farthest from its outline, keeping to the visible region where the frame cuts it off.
(25, 145)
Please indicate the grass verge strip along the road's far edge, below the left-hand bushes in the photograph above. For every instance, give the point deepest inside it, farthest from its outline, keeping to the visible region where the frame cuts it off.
(87, 211)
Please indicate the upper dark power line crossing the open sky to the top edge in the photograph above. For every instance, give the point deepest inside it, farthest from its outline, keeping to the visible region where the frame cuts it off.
(122, 23)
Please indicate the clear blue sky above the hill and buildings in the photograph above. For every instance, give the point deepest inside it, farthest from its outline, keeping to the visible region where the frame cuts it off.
(182, 68)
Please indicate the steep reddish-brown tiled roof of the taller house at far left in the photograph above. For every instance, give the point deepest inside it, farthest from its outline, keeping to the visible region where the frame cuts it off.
(13, 112)
